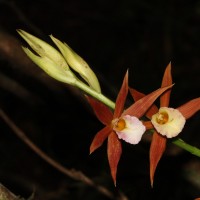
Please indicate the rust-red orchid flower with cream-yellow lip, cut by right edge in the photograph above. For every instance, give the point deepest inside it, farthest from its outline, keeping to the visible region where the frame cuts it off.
(166, 121)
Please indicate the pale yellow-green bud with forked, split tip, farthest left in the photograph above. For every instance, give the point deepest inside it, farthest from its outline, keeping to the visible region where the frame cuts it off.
(48, 58)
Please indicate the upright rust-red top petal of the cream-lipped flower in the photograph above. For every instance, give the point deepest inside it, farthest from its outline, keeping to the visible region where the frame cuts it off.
(167, 80)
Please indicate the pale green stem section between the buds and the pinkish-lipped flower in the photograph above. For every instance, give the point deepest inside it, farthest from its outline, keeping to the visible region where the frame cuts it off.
(95, 94)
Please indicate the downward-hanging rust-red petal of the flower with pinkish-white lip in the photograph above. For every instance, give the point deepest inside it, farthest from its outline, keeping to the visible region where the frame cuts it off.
(114, 151)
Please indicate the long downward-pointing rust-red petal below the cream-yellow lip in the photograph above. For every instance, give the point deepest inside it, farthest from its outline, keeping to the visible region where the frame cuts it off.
(157, 149)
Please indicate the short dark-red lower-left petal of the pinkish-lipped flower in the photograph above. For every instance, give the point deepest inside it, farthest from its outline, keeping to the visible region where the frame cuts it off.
(100, 138)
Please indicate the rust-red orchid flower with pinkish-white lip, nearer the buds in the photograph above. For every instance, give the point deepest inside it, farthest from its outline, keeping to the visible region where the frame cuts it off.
(121, 125)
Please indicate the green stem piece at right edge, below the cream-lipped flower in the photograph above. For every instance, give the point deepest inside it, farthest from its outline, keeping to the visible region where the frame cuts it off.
(193, 150)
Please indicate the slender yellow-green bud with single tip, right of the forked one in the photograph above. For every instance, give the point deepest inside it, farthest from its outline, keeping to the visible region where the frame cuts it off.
(78, 64)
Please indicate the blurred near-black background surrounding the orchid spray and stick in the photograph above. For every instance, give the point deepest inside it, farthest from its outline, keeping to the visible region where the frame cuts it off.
(112, 36)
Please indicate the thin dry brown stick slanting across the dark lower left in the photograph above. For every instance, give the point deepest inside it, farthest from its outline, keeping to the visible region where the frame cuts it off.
(74, 174)
